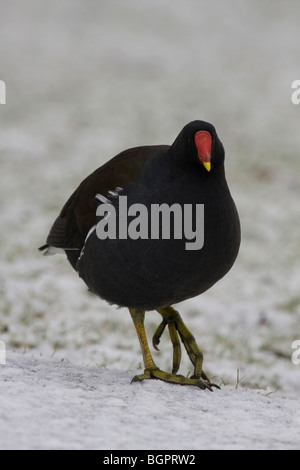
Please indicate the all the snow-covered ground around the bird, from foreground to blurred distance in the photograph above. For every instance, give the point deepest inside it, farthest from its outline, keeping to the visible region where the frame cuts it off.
(85, 80)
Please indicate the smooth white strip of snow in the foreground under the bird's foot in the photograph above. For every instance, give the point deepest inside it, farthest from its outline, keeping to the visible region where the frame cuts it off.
(47, 404)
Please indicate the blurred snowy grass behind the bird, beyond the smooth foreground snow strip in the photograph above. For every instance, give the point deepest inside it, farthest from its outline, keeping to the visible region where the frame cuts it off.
(85, 80)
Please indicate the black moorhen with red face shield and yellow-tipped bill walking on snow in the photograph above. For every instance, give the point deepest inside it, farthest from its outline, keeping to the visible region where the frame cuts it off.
(149, 270)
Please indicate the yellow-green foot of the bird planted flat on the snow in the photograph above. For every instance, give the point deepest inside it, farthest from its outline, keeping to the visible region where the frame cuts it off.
(202, 382)
